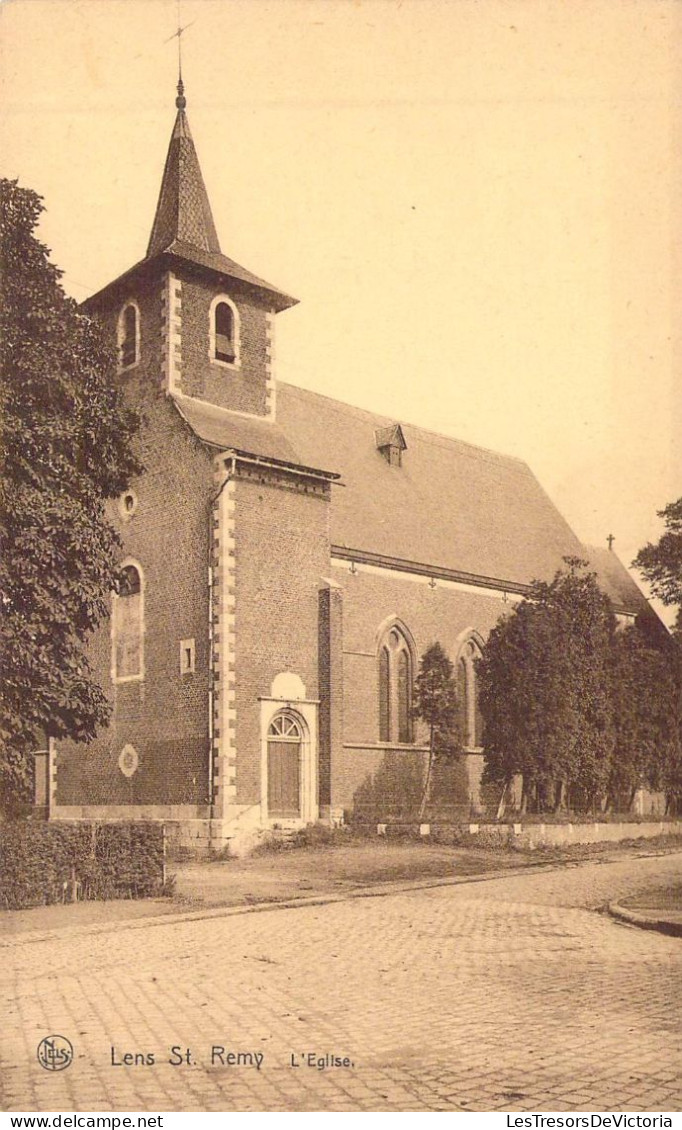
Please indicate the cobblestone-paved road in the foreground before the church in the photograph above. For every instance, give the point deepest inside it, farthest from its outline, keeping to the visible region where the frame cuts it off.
(513, 994)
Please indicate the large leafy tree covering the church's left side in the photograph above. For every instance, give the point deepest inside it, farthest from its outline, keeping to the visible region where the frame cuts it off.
(67, 439)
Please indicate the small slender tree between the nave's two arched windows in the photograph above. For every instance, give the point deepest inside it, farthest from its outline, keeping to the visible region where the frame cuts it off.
(436, 705)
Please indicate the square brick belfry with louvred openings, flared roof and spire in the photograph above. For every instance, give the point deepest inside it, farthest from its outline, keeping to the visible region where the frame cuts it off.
(209, 320)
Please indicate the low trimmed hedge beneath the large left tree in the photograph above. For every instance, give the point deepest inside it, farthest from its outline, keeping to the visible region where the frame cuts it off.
(43, 864)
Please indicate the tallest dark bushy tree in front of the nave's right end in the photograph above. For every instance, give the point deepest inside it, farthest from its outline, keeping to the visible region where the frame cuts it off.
(546, 693)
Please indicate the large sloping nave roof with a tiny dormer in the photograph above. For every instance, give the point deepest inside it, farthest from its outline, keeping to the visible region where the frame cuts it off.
(450, 505)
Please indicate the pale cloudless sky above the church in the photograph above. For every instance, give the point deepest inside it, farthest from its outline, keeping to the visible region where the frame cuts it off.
(478, 204)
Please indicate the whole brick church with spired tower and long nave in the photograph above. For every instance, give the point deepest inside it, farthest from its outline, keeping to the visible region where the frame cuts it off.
(287, 559)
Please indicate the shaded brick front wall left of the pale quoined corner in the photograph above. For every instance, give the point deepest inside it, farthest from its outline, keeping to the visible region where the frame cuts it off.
(165, 716)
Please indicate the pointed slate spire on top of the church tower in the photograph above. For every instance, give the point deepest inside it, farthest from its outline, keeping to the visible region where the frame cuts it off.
(183, 212)
